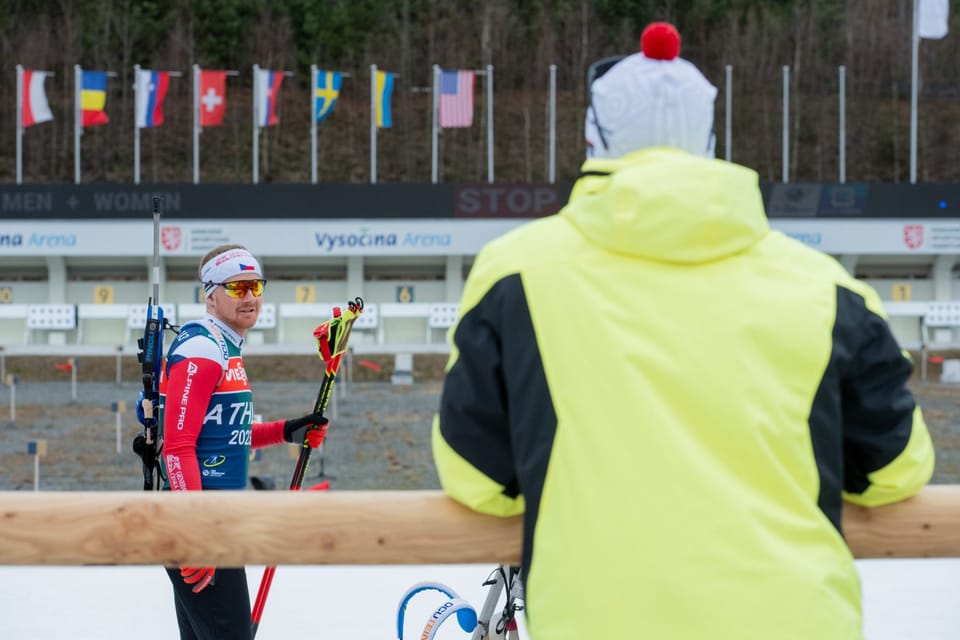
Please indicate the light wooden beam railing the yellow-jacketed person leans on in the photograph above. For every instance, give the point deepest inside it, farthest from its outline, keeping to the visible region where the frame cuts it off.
(352, 527)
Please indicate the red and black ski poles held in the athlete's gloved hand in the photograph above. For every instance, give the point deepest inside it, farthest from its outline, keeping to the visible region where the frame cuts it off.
(332, 338)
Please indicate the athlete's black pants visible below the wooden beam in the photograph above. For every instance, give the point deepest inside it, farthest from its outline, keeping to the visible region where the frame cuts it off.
(219, 612)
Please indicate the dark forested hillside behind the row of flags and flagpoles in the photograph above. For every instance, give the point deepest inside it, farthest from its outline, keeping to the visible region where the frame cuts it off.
(521, 39)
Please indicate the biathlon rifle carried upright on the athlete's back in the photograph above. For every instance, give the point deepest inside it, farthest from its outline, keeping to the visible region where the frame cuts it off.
(147, 444)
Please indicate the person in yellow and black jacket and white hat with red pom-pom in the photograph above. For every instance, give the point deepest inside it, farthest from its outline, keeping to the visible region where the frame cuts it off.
(675, 397)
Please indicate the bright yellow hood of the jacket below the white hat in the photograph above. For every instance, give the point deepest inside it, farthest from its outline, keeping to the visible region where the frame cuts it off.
(667, 205)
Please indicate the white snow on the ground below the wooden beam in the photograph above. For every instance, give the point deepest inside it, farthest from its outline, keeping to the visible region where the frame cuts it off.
(902, 599)
